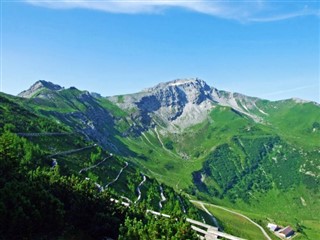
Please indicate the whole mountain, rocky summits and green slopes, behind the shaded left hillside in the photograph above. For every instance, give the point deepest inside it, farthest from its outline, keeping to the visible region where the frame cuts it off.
(255, 155)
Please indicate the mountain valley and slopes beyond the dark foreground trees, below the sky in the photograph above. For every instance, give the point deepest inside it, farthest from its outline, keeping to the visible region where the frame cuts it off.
(179, 141)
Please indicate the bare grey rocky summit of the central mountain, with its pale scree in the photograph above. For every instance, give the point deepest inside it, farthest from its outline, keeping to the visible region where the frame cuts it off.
(182, 103)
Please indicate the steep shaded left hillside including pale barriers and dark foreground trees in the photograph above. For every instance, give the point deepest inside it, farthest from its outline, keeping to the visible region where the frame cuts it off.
(53, 179)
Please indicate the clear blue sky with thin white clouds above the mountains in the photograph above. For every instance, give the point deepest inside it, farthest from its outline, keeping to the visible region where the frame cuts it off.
(268, 49)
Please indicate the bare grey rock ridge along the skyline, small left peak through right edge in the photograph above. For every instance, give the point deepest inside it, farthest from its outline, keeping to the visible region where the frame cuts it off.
(172, 106)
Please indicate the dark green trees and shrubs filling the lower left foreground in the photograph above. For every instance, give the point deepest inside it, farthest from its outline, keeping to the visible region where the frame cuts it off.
(38, 202)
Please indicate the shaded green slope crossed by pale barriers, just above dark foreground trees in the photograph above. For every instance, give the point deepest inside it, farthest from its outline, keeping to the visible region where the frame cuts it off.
(18, 119)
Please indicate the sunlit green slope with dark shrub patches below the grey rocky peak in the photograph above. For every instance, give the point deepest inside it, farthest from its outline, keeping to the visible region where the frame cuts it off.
(261, 168)
